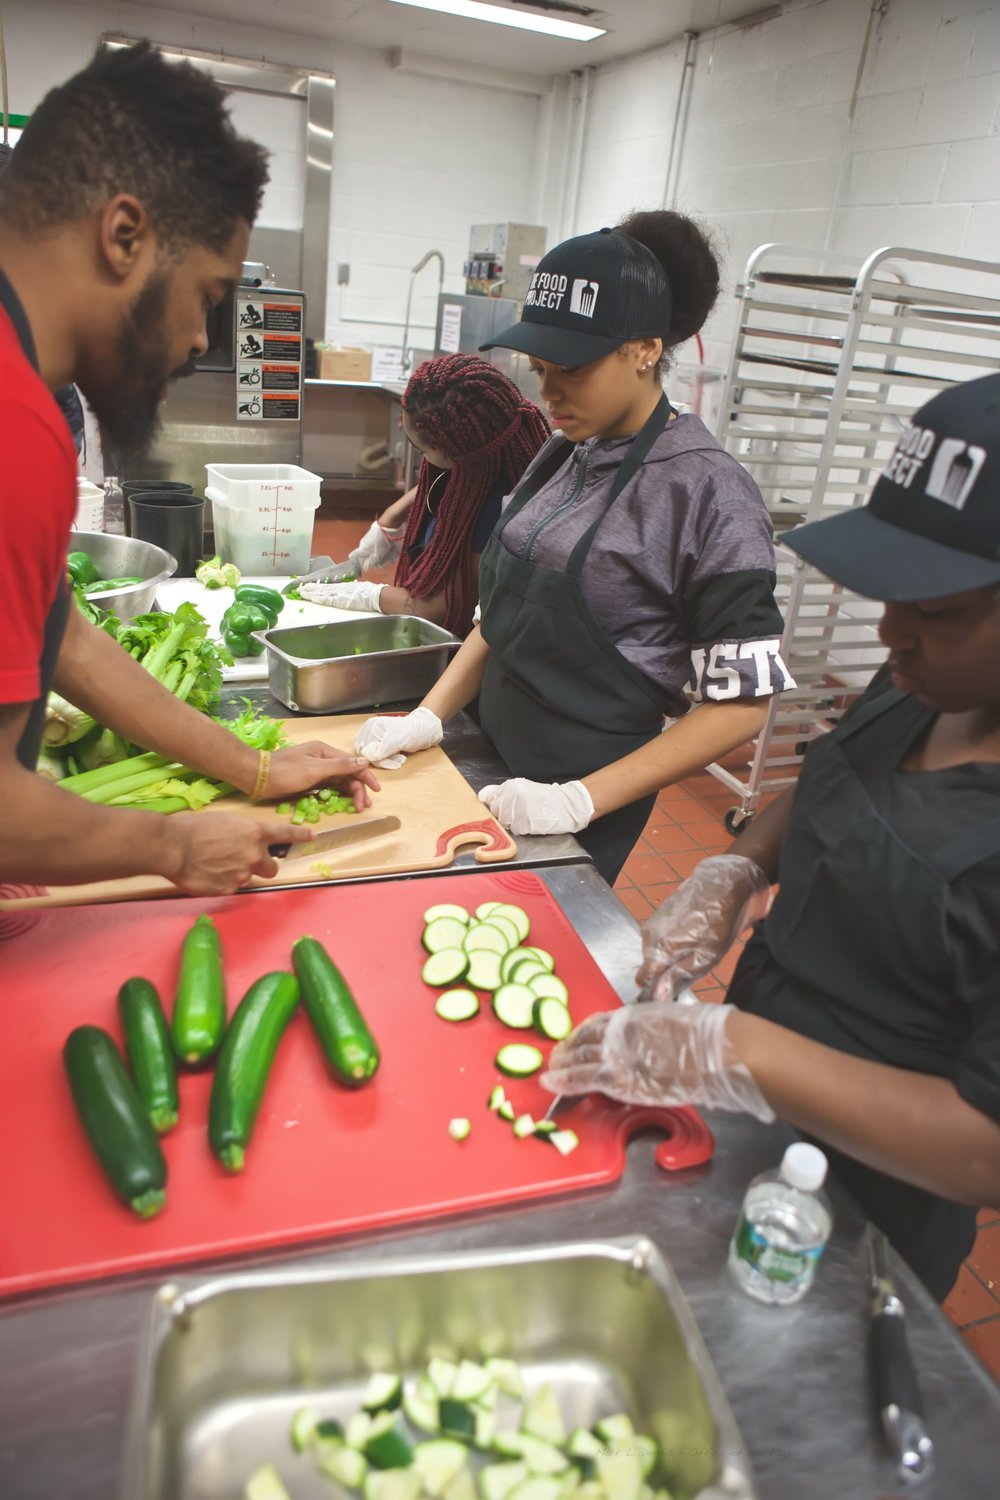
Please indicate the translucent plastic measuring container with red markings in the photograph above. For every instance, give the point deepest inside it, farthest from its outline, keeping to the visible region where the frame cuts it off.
(263, 515)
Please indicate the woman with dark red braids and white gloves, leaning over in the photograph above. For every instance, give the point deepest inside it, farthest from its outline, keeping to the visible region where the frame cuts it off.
(478, 436)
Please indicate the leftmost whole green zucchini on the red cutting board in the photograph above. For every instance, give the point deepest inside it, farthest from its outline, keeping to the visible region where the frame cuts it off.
(115, 1121)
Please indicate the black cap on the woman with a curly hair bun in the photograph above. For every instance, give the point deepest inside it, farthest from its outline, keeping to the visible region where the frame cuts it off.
(590, 296)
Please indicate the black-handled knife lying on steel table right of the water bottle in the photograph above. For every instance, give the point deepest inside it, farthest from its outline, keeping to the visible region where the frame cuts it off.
(894, 1376)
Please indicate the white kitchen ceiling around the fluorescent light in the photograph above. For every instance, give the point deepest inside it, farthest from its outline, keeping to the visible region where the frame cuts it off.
(633, 26)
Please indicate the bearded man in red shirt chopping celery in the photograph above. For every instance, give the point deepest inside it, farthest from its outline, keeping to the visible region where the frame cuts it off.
(125, 215)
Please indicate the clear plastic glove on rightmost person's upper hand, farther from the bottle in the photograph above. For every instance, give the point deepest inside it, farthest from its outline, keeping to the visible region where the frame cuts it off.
(701, 922)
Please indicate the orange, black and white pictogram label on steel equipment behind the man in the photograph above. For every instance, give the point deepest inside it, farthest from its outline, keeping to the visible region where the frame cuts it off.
(269, 358)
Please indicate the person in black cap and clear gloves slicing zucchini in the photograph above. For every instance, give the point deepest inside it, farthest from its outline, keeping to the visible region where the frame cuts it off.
(866, 1009)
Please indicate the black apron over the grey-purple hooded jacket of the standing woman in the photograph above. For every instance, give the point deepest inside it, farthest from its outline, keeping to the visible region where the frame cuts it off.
(558, 698)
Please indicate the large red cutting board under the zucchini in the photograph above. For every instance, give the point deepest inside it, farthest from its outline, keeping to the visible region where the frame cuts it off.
(325, 1160)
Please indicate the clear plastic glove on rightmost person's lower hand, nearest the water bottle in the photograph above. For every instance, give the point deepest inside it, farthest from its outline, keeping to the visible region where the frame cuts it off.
(657, 1055)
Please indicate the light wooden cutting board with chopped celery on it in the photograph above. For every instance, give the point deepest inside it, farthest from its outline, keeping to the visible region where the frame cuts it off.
(439, 811)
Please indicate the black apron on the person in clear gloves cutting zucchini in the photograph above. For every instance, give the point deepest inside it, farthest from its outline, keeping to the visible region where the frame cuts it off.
(891, 958)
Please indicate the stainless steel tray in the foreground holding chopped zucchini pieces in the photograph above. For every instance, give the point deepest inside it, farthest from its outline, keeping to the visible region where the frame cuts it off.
(226, 1364)
